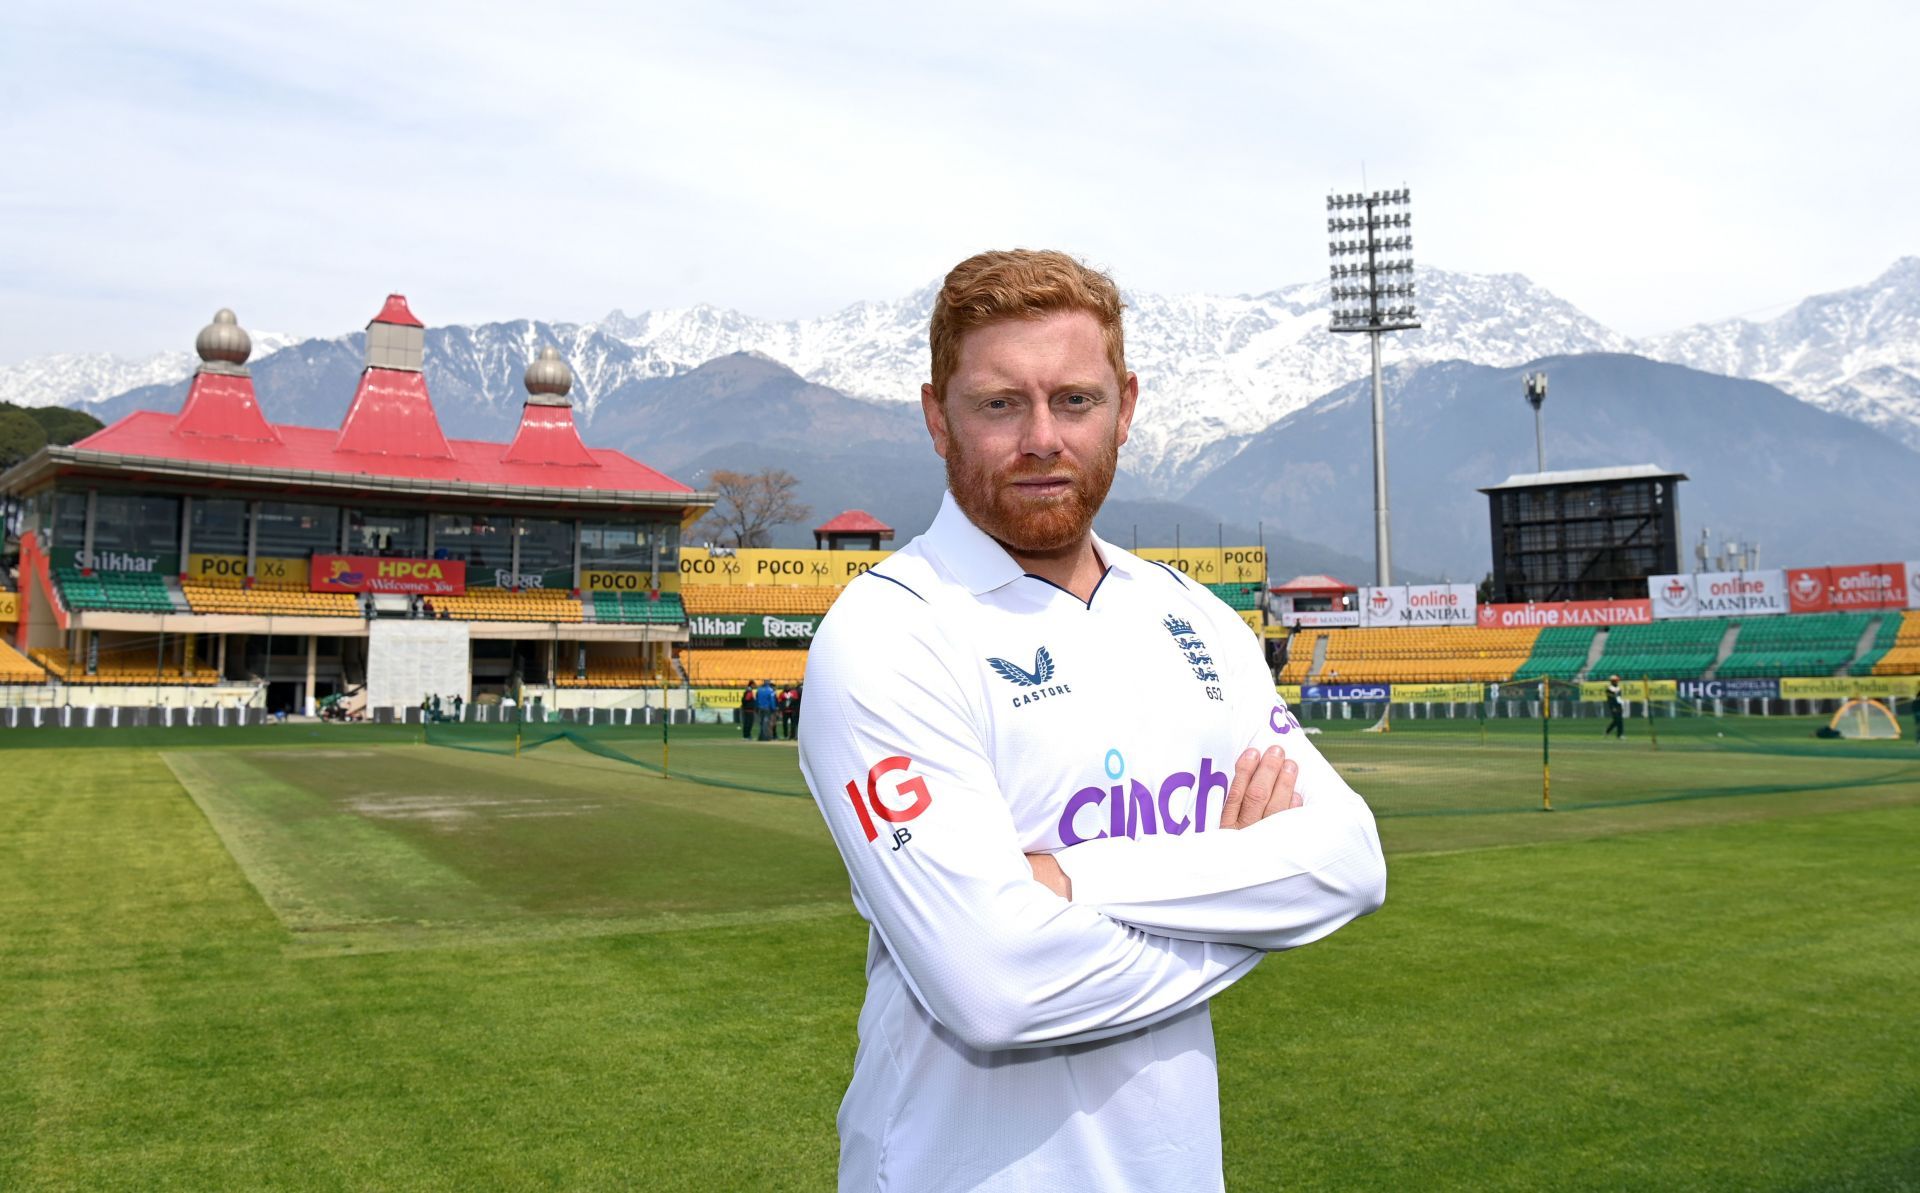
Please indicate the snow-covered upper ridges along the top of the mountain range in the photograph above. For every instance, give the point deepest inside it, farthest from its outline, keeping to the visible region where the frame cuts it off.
(1214, 370)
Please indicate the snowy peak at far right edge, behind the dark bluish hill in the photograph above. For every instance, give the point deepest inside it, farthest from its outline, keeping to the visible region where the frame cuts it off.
(1854, 353)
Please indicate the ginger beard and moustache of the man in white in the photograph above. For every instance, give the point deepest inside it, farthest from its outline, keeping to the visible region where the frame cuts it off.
(1032, 525)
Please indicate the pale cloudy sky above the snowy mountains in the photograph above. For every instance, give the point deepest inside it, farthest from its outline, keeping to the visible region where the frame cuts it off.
(1654, 164)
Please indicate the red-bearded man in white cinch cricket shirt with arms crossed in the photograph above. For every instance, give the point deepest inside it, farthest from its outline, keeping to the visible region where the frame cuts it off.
(1068, 798)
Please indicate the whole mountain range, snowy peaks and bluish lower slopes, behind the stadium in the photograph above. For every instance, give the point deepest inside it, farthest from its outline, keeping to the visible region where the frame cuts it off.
(1222, 379)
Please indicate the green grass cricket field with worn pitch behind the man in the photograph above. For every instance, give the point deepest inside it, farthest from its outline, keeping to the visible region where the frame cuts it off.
(341, 960)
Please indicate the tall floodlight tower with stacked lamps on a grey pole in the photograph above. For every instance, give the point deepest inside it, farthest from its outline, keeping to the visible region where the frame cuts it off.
(1372, 245)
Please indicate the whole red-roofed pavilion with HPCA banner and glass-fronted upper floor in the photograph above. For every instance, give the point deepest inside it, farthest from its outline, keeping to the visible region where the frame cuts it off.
(216, 547)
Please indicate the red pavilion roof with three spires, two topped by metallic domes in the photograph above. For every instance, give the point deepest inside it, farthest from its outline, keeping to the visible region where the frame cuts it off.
(391, 439)
